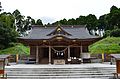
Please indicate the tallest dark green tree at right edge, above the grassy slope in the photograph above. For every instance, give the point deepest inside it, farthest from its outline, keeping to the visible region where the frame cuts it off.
(112, 20)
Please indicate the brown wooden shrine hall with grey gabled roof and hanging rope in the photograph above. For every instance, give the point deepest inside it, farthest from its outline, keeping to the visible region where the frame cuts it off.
(60, 44)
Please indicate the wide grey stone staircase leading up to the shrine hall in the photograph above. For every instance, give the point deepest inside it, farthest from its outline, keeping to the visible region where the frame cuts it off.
(61, 73)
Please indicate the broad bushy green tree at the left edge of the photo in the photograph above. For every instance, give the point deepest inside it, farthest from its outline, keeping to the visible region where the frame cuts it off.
(7, 30)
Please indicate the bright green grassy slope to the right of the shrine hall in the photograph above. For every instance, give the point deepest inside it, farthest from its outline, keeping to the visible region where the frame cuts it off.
(106, 45)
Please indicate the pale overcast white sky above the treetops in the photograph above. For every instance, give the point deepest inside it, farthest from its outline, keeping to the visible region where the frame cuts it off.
(50, 11)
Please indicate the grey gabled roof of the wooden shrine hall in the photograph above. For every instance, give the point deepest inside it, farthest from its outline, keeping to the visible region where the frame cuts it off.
(68, 31)
